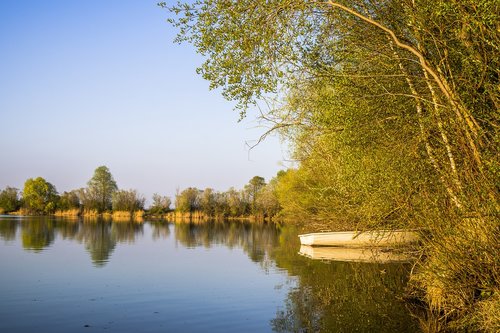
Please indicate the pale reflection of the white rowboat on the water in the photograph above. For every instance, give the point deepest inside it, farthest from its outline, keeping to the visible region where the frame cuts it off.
(349, 254)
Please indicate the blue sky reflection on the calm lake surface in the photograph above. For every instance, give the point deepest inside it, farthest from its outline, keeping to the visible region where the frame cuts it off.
(146, 285)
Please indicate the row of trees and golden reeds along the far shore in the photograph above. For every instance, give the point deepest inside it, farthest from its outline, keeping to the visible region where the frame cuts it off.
(102, 198)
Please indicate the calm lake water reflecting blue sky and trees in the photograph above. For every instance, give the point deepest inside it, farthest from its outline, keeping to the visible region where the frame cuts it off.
(63, 275)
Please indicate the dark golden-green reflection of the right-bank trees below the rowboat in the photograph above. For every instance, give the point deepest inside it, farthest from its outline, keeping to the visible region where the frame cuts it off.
(335, 296)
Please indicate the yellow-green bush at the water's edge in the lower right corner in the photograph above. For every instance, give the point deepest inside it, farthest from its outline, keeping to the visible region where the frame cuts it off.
(461, 275)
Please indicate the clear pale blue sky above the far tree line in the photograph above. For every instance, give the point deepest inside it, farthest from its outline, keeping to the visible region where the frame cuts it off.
(90, 83)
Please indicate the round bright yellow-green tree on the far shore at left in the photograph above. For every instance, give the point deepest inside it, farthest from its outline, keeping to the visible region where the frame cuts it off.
(40, 196)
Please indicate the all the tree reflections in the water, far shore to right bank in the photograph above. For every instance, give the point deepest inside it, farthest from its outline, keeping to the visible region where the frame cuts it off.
(325, 297)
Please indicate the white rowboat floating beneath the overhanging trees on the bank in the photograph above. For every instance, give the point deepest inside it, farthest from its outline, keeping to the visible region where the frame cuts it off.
(383, 238)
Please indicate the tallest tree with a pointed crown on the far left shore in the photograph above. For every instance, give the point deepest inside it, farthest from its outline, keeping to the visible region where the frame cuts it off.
(101, 187)
